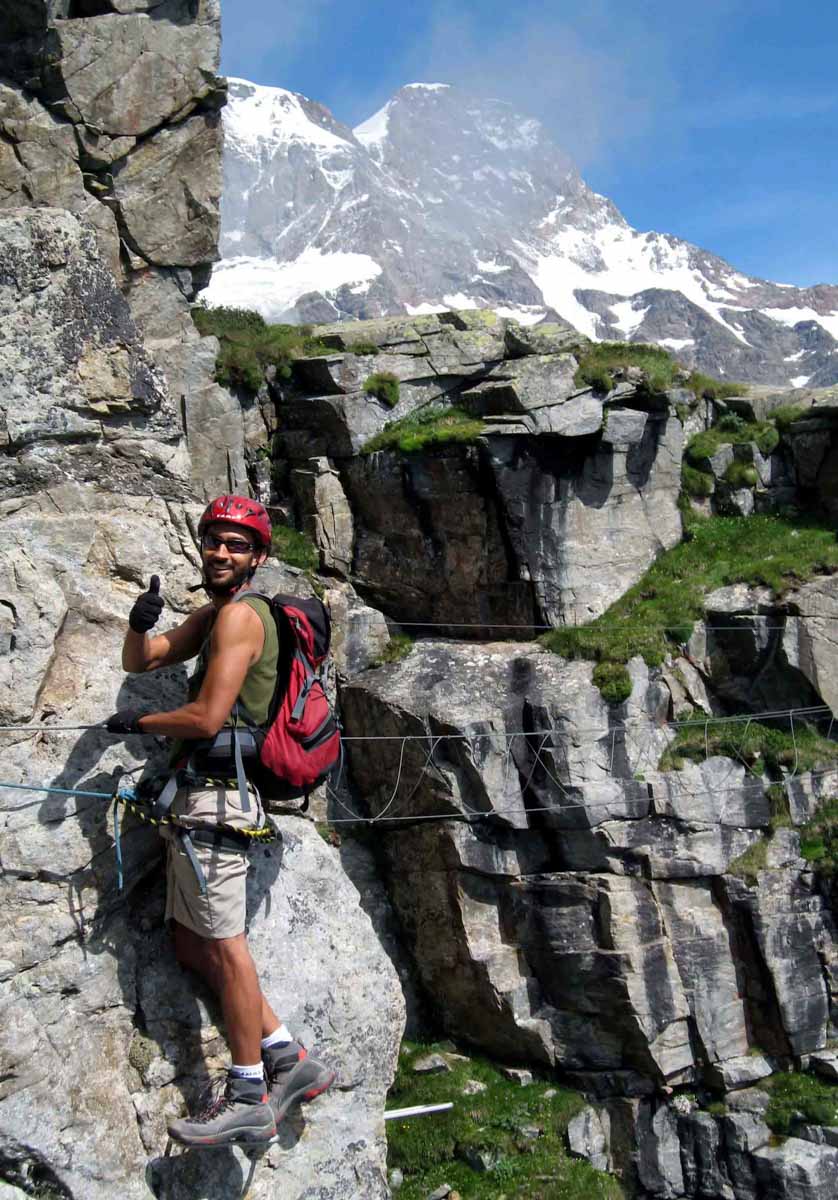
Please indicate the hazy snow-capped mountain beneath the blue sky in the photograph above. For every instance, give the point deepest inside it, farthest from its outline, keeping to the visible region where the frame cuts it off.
(445, 201)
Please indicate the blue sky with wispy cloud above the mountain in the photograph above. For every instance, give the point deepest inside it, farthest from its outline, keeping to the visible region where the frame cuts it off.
(719, 123)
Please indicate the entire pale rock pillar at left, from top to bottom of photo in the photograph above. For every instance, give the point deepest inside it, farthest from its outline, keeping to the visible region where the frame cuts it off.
(112, 431)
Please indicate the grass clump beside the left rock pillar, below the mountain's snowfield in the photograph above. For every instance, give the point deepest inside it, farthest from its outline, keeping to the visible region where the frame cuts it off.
(249, 346)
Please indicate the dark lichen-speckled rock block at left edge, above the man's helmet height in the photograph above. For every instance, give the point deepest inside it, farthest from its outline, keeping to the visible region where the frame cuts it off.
(81, 397)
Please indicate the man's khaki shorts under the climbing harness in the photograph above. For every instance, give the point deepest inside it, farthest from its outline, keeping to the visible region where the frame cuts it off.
(222, 911)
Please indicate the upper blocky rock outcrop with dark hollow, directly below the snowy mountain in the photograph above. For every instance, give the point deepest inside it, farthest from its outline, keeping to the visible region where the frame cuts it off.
(548, 518)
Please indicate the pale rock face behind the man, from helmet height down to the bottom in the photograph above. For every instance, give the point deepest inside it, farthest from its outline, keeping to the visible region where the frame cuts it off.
(104, 1037)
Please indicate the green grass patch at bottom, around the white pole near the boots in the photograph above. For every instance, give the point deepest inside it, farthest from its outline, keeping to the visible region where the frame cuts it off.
(432, 1151)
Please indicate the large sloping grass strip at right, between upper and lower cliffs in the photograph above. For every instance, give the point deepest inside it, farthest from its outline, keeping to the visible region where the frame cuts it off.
(659, 614)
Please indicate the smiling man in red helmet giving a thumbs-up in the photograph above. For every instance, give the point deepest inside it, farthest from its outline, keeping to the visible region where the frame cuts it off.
(238, 651)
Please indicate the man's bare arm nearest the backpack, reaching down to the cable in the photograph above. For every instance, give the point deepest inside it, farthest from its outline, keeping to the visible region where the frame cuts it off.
(237, 643)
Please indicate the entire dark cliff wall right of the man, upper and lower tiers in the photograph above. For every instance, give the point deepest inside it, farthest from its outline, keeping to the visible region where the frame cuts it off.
(568, 901)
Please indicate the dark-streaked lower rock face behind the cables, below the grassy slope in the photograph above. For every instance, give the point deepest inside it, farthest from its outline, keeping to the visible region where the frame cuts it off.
(582, 909)
